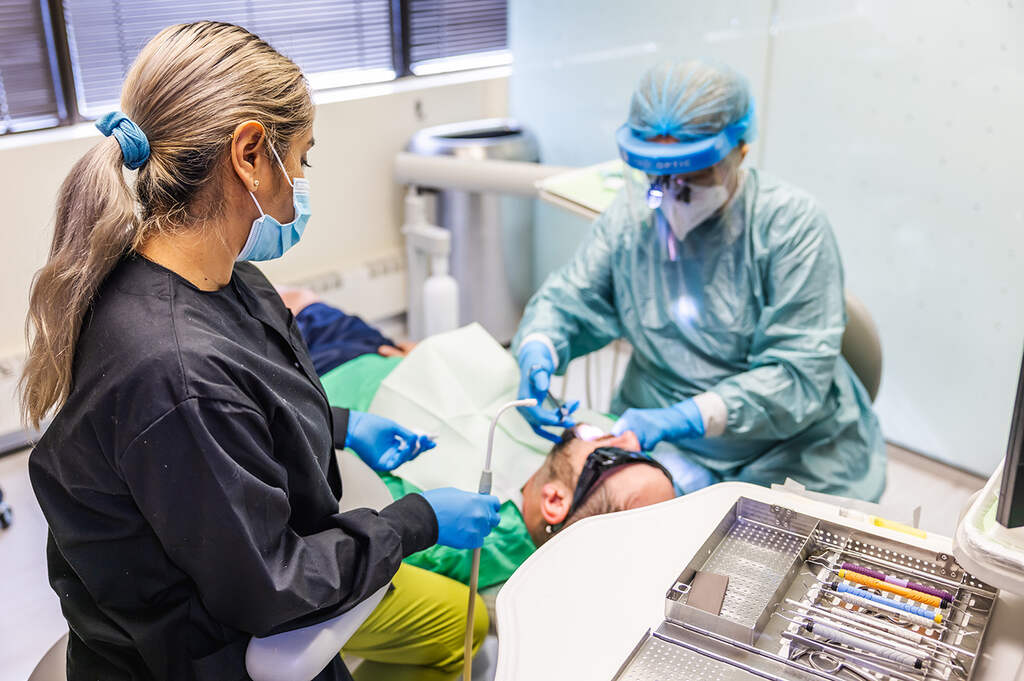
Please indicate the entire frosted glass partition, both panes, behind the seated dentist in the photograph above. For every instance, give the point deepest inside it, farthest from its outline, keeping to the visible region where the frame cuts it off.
(904, 118)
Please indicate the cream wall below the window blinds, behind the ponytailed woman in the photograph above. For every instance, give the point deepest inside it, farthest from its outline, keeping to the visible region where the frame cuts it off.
(357, 205)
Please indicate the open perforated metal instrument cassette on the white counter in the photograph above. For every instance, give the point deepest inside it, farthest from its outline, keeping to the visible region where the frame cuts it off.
(764, 550)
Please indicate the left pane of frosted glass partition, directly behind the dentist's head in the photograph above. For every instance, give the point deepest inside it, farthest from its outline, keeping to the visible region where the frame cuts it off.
(577, 63)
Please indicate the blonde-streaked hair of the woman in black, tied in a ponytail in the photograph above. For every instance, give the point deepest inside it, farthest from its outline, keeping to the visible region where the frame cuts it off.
(188, 91)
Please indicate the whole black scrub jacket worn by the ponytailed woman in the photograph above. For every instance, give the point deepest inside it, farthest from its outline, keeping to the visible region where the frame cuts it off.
(191, 485)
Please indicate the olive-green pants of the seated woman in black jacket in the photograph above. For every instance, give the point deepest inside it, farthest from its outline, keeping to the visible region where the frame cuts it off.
(418, 630)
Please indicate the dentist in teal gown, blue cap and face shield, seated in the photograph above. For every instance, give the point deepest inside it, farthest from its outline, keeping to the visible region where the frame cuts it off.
(729, 285)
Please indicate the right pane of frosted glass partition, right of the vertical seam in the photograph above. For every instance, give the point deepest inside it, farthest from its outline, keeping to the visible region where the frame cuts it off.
(905, 119)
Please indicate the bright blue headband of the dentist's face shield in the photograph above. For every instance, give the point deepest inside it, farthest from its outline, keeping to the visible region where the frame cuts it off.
(678, 158)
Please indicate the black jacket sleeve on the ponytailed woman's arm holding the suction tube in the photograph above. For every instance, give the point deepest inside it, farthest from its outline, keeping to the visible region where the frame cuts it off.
(205, 481)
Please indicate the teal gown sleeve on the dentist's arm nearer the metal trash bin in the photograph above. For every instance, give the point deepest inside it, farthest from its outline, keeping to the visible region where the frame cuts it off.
(575, 308)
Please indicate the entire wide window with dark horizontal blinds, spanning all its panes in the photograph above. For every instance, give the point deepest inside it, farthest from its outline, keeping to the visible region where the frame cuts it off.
(64, 61)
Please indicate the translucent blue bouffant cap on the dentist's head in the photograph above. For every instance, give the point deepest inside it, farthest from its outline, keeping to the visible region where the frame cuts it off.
(688, 101)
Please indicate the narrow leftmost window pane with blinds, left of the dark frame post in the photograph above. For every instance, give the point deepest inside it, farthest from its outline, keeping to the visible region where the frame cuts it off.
(29, 92)
